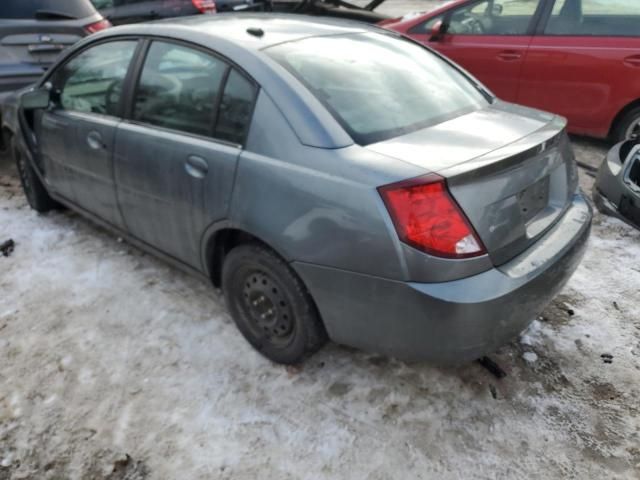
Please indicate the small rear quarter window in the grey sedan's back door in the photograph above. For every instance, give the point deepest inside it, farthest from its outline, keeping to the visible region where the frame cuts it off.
(236, 107)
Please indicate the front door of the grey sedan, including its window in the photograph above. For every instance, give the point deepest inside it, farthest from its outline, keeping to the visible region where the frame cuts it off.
(77, 133)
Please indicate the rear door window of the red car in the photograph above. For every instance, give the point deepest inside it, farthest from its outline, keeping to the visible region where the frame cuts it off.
(605, 18)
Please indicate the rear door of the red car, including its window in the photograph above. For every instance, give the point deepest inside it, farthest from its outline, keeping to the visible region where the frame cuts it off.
(585, 63)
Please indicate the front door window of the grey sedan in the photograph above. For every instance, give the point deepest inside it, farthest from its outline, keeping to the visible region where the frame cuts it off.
(92, 81)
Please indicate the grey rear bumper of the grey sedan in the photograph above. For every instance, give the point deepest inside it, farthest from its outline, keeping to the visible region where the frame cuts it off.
(450, 322)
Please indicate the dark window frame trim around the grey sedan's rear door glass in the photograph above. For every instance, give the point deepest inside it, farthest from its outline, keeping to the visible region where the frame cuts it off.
(138, 66)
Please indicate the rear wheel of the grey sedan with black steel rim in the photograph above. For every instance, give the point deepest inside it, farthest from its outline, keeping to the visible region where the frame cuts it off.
(270, 305)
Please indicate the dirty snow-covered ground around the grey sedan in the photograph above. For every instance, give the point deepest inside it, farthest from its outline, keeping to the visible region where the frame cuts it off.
(114, 365)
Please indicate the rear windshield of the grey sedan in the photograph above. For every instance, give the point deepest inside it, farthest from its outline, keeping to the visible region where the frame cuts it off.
(378, 86)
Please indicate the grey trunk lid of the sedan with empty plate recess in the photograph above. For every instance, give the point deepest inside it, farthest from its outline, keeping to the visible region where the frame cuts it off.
(511, 169)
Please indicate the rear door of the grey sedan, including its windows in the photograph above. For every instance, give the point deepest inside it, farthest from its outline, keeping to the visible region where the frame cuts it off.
(176, 155)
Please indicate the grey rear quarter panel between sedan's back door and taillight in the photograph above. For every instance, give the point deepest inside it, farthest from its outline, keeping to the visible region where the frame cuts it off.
(316, 205)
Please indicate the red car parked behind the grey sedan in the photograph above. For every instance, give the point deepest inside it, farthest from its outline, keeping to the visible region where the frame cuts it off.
(577, 58)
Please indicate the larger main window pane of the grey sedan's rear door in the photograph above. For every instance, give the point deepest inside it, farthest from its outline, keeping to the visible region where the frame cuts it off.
(178, 88)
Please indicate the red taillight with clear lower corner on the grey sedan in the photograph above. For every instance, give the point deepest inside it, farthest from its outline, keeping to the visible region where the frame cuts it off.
(428, 218)
